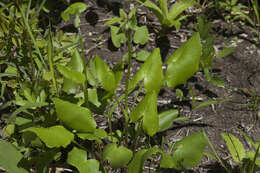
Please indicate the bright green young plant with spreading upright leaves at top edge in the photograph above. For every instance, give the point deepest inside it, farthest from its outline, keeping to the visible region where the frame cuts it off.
(169, 17)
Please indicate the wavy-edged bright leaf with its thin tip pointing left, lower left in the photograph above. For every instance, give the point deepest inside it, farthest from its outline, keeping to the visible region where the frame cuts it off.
(55, 136)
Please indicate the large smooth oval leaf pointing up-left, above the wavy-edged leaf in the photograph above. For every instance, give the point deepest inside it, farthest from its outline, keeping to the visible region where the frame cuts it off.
(74, 116)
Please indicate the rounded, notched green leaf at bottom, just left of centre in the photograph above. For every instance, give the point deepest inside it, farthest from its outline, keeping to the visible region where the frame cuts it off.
(118, 157)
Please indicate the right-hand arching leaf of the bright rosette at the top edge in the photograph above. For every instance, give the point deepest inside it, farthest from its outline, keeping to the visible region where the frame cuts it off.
(179, 7)
